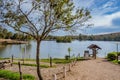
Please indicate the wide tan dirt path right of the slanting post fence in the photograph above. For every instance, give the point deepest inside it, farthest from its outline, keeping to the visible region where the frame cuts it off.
(99, 69)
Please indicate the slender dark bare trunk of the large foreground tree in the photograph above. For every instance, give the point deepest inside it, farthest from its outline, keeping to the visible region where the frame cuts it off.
(38, 61)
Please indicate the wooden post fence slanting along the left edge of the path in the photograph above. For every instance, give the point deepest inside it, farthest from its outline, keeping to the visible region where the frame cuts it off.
(60, 73)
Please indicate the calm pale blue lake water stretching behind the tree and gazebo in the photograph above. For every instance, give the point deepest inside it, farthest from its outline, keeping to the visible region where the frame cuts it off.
(56, 50)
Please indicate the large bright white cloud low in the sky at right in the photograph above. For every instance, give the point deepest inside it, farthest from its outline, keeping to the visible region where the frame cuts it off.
(105, 20)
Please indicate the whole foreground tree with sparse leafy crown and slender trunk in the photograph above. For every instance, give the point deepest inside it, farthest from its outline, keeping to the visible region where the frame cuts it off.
(41, 18)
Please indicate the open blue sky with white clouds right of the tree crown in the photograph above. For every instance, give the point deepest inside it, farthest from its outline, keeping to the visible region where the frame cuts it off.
(105, 15)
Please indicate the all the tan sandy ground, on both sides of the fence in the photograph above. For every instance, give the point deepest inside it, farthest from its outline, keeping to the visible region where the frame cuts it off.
(99, 69)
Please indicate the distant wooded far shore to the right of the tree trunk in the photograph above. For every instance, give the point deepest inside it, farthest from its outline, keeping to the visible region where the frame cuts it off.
(103, 37)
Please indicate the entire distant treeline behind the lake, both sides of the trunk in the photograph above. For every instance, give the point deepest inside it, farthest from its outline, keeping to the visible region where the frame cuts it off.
(5, 34)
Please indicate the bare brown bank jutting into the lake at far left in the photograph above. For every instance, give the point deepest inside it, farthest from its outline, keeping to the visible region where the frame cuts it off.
(9, 41)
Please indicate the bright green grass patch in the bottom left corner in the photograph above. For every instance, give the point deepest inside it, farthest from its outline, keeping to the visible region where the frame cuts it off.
(14, 75)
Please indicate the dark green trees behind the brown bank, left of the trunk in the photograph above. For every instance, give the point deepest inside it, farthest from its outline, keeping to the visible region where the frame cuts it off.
(5, 34)
